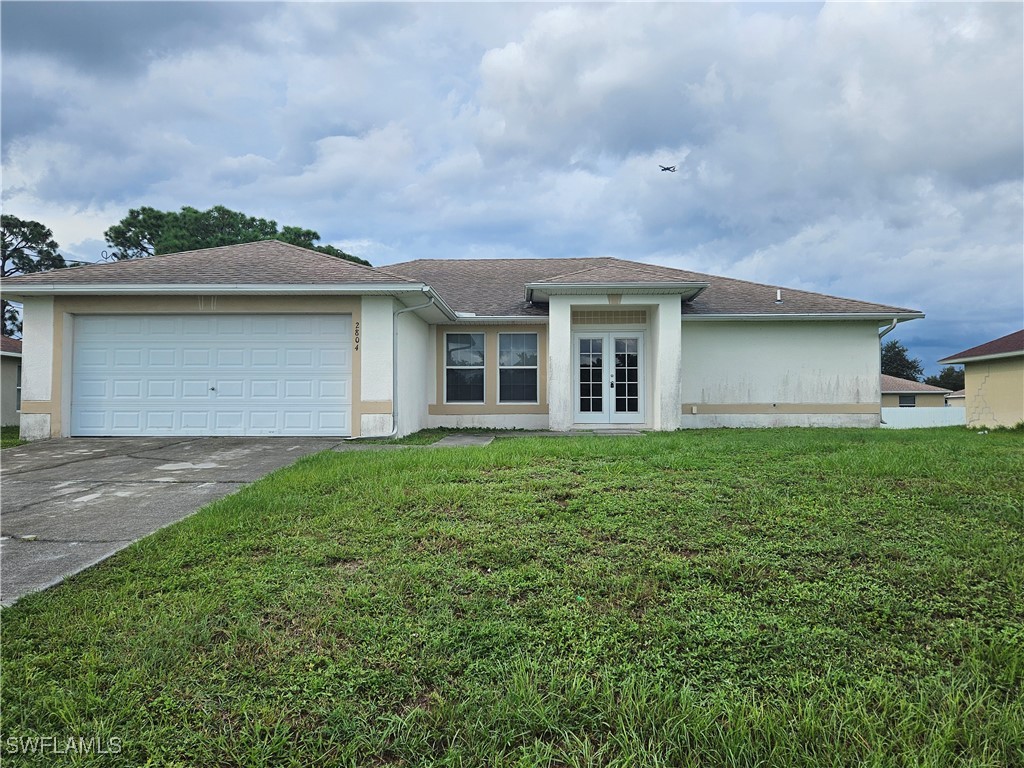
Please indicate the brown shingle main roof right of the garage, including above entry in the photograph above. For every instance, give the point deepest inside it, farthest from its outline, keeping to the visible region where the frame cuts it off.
(495, 287)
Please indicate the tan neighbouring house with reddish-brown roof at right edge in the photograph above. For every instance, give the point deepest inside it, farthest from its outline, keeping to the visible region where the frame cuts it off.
(994, 381)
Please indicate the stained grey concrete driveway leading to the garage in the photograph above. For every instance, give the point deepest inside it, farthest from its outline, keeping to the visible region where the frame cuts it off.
(68, 504)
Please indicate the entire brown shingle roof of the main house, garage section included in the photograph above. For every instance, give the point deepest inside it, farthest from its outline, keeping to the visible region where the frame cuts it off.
(484, 287)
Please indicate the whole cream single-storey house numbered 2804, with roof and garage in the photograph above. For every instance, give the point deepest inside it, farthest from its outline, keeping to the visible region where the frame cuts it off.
(268, 338)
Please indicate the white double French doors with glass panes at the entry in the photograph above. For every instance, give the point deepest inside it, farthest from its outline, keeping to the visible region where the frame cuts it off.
(609, 379)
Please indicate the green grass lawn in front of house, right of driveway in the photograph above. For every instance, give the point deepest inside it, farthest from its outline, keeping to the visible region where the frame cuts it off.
(712, 599)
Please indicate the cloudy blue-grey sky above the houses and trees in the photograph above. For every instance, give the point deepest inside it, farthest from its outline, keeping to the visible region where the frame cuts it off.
(870, 151)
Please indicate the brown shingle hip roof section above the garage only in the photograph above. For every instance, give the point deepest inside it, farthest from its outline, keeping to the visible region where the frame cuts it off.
(268, 262)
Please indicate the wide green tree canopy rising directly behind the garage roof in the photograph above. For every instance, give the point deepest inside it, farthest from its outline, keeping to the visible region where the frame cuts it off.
(147, 232)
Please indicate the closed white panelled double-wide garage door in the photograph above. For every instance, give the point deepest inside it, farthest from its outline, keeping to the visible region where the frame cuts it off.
(212, 375)
